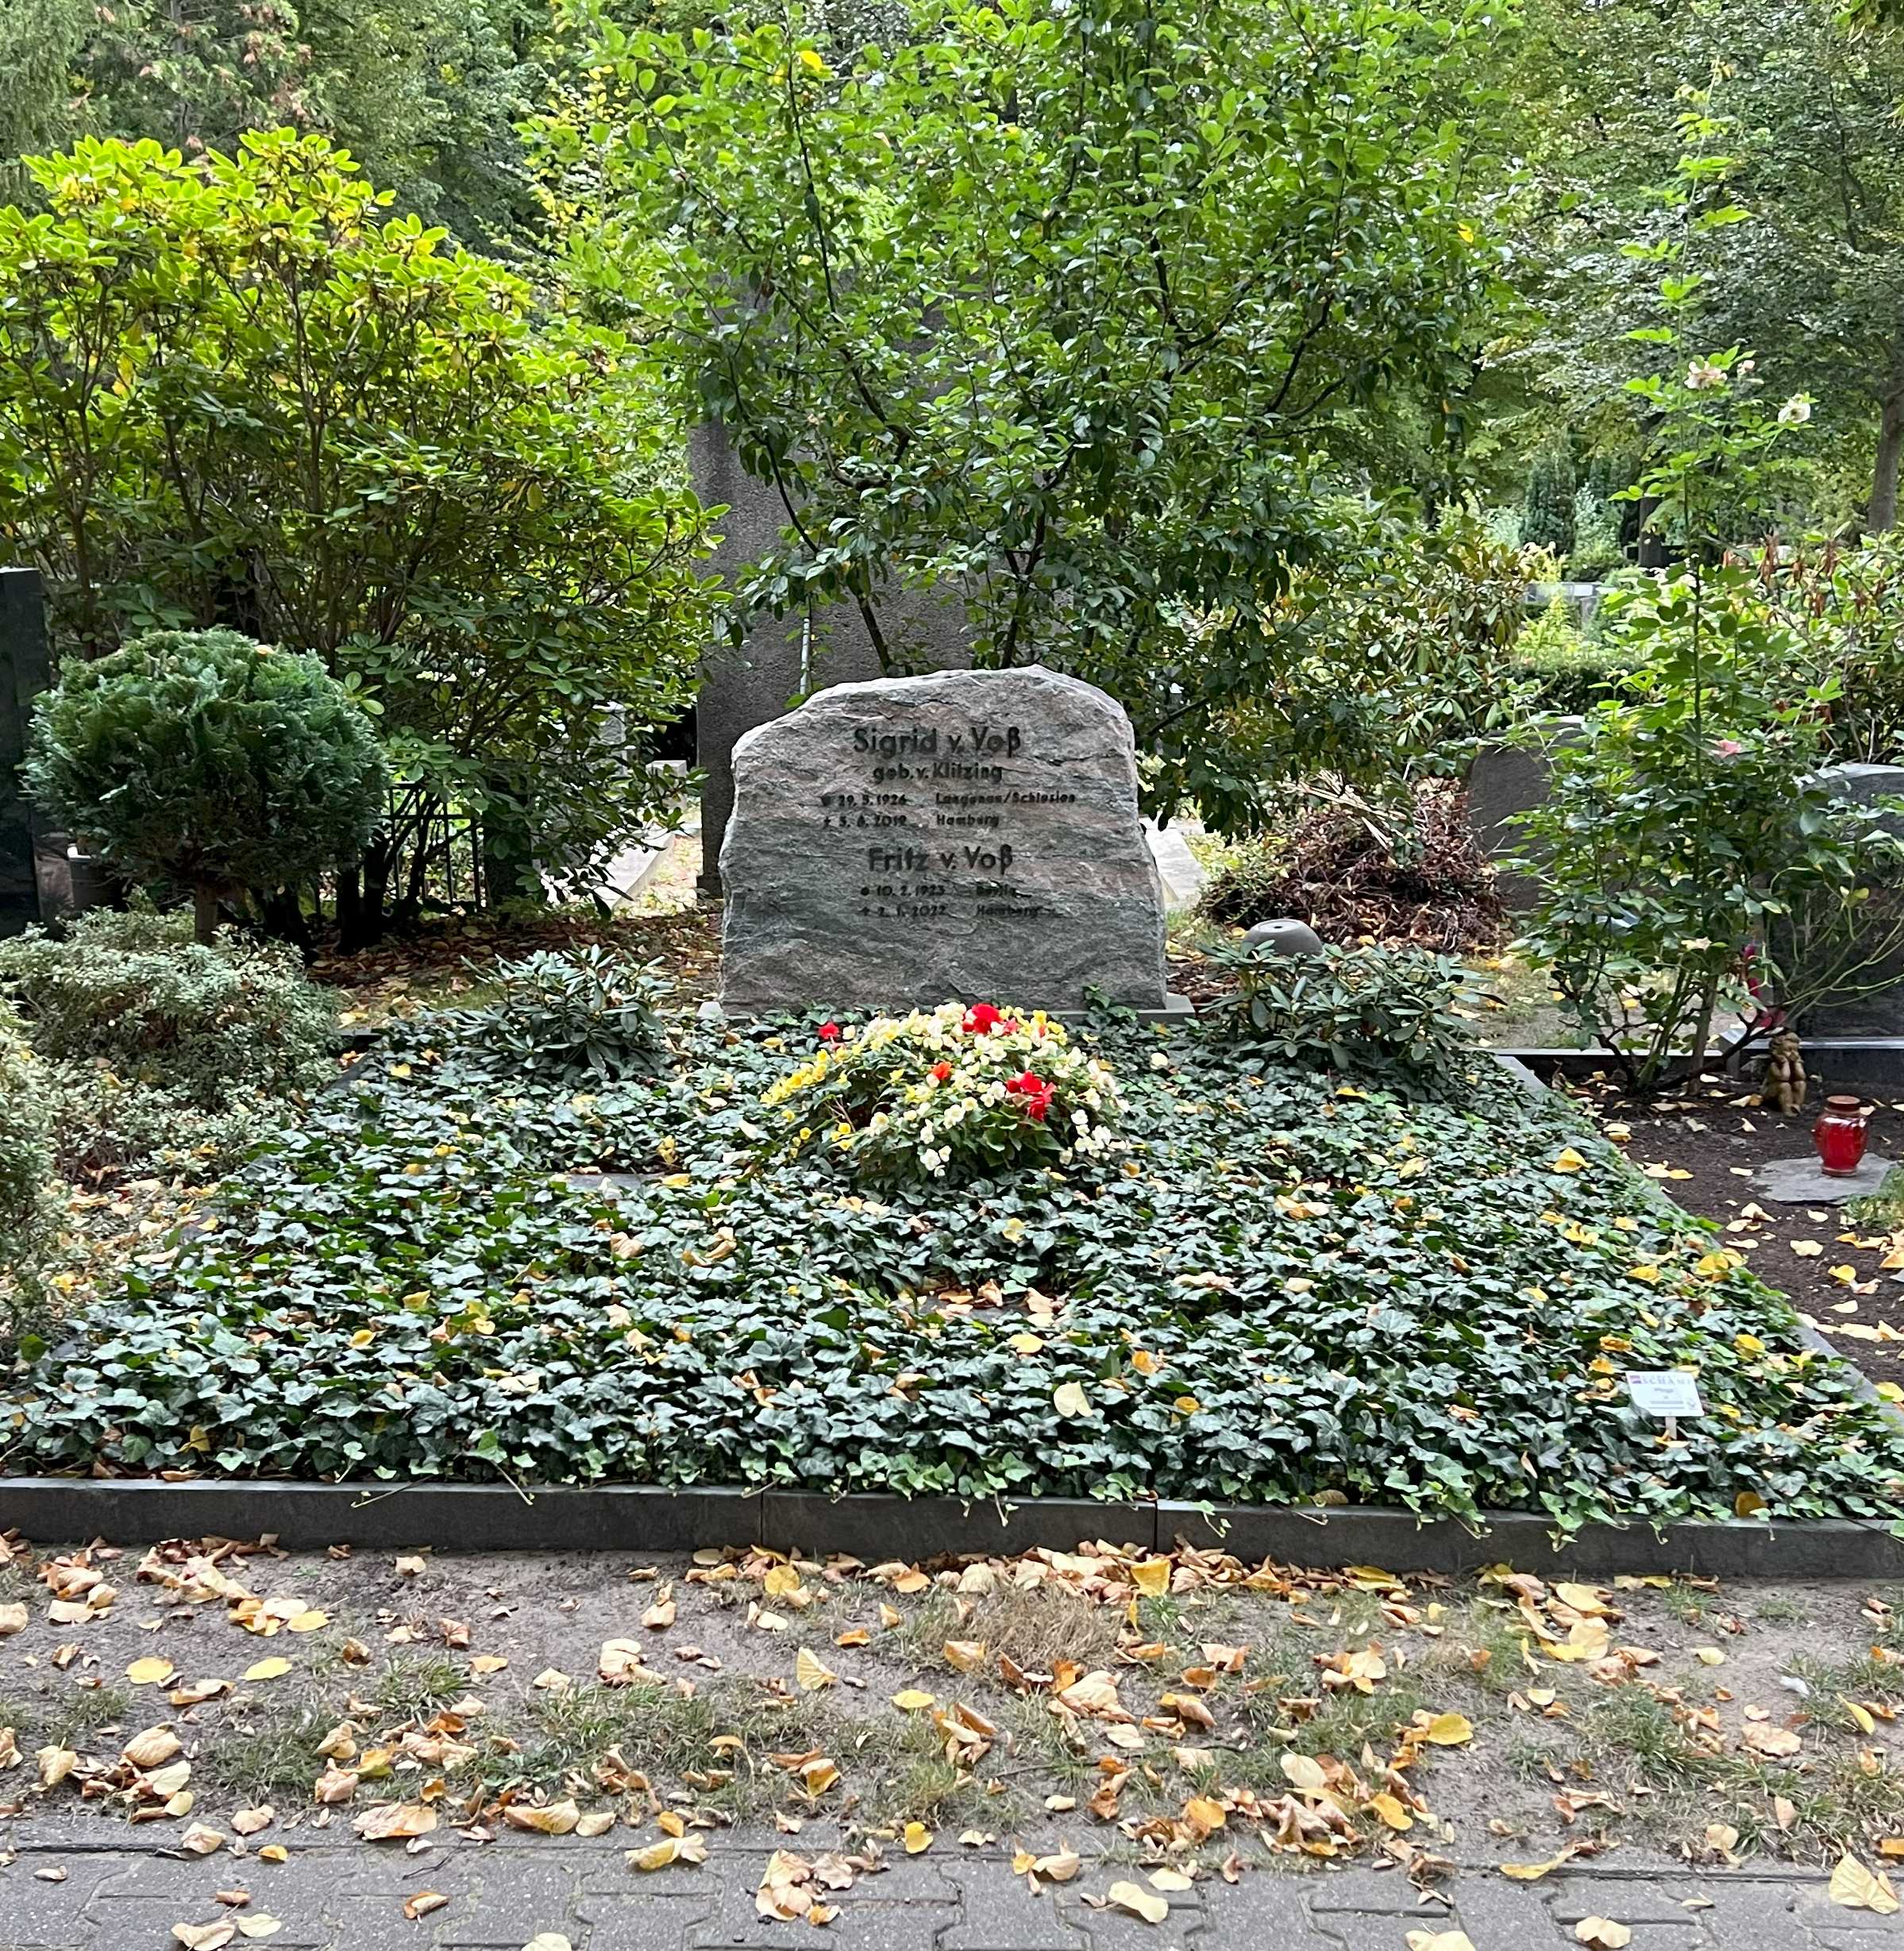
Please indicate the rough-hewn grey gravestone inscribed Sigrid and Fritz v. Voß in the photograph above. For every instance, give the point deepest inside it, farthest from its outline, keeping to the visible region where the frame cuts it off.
(967, 834)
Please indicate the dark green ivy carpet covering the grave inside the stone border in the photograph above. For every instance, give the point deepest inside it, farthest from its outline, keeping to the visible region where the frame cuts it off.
(1277, 1287)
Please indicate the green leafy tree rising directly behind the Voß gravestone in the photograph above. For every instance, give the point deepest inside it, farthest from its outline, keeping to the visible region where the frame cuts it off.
(1058, 313)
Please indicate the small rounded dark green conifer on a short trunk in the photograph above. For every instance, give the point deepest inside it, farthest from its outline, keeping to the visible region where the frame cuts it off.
(204, 760)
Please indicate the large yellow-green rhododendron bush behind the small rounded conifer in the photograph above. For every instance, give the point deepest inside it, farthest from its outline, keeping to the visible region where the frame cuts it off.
(237, 393)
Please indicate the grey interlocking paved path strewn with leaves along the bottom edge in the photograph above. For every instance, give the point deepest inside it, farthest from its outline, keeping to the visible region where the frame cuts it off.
(346, 1897)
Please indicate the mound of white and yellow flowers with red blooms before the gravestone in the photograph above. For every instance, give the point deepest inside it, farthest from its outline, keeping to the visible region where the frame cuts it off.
(959, 1092)
